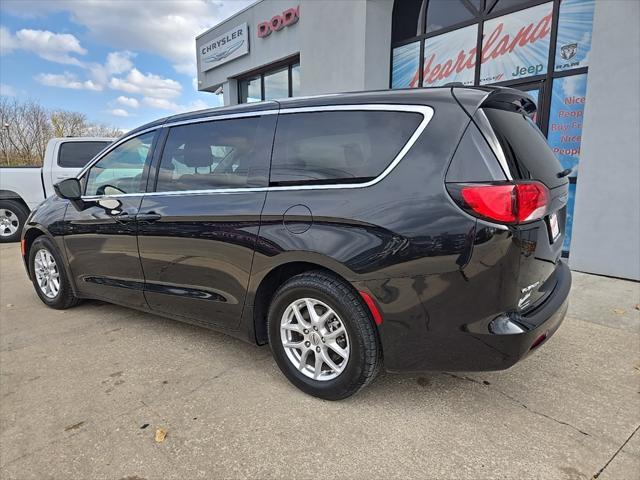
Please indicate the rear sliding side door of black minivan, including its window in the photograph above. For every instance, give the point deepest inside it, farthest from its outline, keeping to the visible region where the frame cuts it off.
(197, 231)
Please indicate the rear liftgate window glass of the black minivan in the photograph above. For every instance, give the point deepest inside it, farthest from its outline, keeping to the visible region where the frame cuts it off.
(525, 148)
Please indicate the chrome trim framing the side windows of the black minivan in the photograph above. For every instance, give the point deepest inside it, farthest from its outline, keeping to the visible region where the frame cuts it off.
(426, 111)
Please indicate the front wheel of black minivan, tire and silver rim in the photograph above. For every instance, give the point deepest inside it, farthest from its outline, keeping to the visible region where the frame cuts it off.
(48, 275)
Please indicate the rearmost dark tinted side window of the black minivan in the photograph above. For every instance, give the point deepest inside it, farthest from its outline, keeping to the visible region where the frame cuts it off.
(325, 147)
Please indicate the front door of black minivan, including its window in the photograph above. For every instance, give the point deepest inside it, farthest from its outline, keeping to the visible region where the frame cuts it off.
(100, 239)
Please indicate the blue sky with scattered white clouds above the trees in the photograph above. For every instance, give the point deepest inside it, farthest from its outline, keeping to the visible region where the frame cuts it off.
(122, 63)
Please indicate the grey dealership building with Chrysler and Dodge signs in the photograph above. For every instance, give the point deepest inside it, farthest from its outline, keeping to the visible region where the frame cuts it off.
(578, 59)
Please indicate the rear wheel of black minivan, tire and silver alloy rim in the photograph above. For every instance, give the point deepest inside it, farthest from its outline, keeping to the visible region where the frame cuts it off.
(322, 336)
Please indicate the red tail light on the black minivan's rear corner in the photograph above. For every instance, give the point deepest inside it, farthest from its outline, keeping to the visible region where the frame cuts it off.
(504, 202)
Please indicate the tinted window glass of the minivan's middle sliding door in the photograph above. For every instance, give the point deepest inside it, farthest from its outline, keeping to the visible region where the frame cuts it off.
(210, 155)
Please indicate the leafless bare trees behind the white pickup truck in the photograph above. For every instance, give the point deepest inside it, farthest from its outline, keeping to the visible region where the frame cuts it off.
(26, 127)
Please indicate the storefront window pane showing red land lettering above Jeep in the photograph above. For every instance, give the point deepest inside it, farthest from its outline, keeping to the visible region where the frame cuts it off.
(516, 45)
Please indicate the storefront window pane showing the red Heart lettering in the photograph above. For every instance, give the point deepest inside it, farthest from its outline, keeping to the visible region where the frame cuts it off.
(450, 57)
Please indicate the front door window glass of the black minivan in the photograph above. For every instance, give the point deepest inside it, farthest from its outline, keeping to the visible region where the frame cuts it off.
(122, 168)
